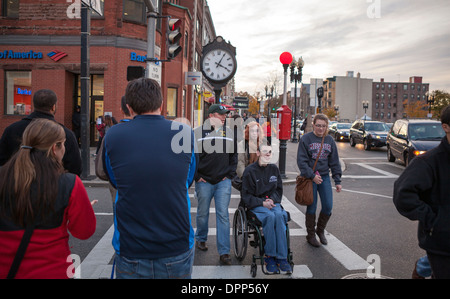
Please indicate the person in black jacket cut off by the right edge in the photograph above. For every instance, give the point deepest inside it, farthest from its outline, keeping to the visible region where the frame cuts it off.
(422, 193)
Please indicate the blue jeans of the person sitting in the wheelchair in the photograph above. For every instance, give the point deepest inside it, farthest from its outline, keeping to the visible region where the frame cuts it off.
(274, 229)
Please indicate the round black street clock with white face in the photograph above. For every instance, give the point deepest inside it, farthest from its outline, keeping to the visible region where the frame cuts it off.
(218, 64)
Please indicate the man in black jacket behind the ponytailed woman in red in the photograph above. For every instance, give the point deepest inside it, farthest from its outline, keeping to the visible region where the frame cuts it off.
(44, 103)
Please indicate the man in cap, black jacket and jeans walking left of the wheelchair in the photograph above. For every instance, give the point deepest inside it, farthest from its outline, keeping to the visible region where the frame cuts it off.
(217, 166)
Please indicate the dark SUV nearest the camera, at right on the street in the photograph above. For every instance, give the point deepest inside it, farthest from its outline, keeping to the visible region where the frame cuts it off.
(409, 138)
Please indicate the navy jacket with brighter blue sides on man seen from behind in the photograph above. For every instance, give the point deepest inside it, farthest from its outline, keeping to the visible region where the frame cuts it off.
(142, 158)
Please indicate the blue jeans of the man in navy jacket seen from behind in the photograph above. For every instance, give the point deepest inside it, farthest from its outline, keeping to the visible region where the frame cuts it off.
(176, 267)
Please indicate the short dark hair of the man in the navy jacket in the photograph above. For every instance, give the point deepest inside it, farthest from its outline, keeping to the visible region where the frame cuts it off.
(143, 95)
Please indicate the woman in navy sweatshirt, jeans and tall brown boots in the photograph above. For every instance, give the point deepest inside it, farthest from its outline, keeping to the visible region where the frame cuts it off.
(308, 150)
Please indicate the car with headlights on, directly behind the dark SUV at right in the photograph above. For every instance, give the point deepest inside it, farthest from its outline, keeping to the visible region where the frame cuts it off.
(368, 132)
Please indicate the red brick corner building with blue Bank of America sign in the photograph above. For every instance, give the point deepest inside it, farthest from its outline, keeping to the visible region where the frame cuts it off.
(40, 48)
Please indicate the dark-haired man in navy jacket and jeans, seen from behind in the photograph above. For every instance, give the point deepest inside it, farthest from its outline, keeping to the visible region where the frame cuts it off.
(152, 210)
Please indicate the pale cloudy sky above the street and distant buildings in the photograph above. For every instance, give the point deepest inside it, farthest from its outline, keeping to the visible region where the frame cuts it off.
(390, 39)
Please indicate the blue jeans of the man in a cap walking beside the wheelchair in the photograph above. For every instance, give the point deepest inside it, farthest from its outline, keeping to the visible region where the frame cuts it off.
(221, 192)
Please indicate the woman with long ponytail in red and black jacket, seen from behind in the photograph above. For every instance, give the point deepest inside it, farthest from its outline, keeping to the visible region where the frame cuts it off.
(39, 205)
